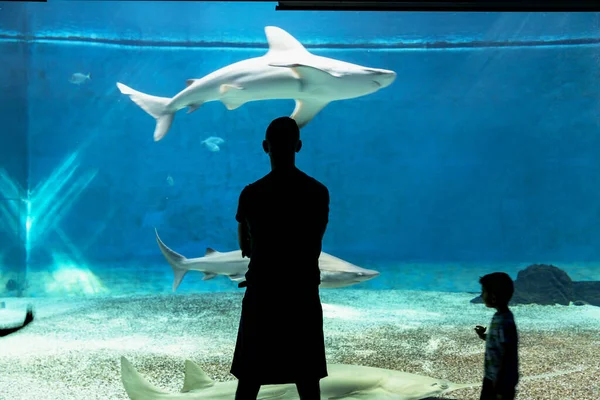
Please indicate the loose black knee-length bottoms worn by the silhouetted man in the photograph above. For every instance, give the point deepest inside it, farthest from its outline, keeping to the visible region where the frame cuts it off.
(280, 337)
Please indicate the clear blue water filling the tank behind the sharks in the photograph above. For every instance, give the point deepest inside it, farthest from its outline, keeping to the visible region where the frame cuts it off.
(484, 154)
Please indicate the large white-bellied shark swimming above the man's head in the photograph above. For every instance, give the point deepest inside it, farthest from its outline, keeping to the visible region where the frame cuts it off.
(286, 71)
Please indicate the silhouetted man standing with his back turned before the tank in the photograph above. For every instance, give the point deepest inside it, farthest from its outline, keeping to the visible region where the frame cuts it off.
(282, 218)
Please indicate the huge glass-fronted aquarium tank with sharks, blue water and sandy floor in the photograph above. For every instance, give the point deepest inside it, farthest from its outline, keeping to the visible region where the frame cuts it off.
(453, 145)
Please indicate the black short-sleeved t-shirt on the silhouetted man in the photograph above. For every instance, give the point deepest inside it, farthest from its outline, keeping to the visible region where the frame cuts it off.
(286, 214)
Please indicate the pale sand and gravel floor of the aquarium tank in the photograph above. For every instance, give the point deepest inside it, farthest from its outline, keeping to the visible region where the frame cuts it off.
(73, 349)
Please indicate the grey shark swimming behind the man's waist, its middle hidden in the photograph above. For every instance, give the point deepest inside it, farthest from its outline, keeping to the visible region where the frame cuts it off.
(335, 273)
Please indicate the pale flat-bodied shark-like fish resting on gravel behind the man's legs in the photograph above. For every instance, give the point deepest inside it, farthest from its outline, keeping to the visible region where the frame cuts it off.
(348, 382)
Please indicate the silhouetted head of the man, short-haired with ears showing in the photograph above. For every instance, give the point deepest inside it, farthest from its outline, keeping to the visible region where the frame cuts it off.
(282, 139)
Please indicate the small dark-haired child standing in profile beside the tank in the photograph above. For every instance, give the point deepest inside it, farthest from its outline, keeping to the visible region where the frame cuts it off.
(501, 339)
